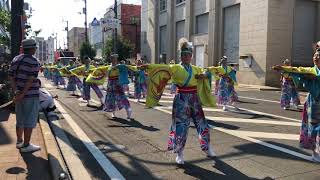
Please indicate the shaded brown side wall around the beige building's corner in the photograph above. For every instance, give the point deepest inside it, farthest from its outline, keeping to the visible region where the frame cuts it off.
(280, 30)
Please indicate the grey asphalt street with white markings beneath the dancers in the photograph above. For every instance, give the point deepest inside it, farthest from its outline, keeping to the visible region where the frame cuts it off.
(256, 140)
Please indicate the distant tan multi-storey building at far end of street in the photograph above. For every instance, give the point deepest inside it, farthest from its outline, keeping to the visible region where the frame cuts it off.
(76, 36)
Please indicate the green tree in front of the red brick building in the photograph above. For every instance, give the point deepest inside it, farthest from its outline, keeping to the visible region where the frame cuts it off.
(124, 48)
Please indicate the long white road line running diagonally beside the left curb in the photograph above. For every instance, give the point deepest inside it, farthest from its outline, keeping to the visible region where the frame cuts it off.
(105, 164)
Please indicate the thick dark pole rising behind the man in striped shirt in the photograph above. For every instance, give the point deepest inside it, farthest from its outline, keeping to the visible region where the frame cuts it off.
(16, 26)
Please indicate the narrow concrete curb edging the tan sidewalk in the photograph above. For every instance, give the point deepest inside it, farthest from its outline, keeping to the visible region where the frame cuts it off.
(57, 165)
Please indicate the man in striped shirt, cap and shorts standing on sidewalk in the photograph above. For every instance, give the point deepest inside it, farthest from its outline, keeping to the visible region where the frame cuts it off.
(25, 83)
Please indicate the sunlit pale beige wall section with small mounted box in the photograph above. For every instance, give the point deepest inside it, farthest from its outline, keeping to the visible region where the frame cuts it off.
(253, 40)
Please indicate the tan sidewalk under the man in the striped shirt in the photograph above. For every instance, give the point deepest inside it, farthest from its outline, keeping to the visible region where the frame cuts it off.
(13, 164)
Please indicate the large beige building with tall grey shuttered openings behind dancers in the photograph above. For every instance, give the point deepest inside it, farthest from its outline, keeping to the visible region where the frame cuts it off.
(256, 34)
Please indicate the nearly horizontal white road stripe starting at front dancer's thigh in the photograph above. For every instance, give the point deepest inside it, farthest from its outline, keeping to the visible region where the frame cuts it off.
(254, 121)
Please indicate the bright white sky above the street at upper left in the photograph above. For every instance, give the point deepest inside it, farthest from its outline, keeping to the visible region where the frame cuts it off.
(50, 16)
